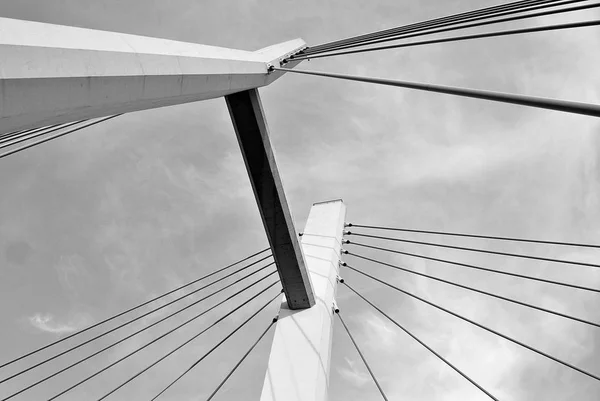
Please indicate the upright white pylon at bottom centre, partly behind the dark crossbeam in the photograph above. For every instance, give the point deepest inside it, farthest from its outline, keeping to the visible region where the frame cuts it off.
(298, 368)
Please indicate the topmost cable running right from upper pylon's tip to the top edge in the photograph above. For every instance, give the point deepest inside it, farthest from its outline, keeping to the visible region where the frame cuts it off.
(428, 24)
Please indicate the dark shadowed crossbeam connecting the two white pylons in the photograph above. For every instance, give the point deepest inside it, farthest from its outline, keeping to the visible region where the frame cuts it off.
(253, 137)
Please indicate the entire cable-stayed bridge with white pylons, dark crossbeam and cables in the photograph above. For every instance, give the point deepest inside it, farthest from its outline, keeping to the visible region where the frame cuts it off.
(60, 80)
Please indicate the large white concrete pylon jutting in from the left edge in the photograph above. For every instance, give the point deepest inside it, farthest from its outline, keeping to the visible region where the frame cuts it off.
(51, 74)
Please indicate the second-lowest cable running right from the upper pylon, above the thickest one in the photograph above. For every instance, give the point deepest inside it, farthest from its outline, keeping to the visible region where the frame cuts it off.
(583, 24)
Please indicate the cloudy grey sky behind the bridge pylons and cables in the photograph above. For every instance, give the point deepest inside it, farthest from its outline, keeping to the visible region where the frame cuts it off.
(106, 218)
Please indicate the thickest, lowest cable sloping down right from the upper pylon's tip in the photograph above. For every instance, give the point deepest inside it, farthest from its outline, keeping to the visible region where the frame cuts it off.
(530, 101)
